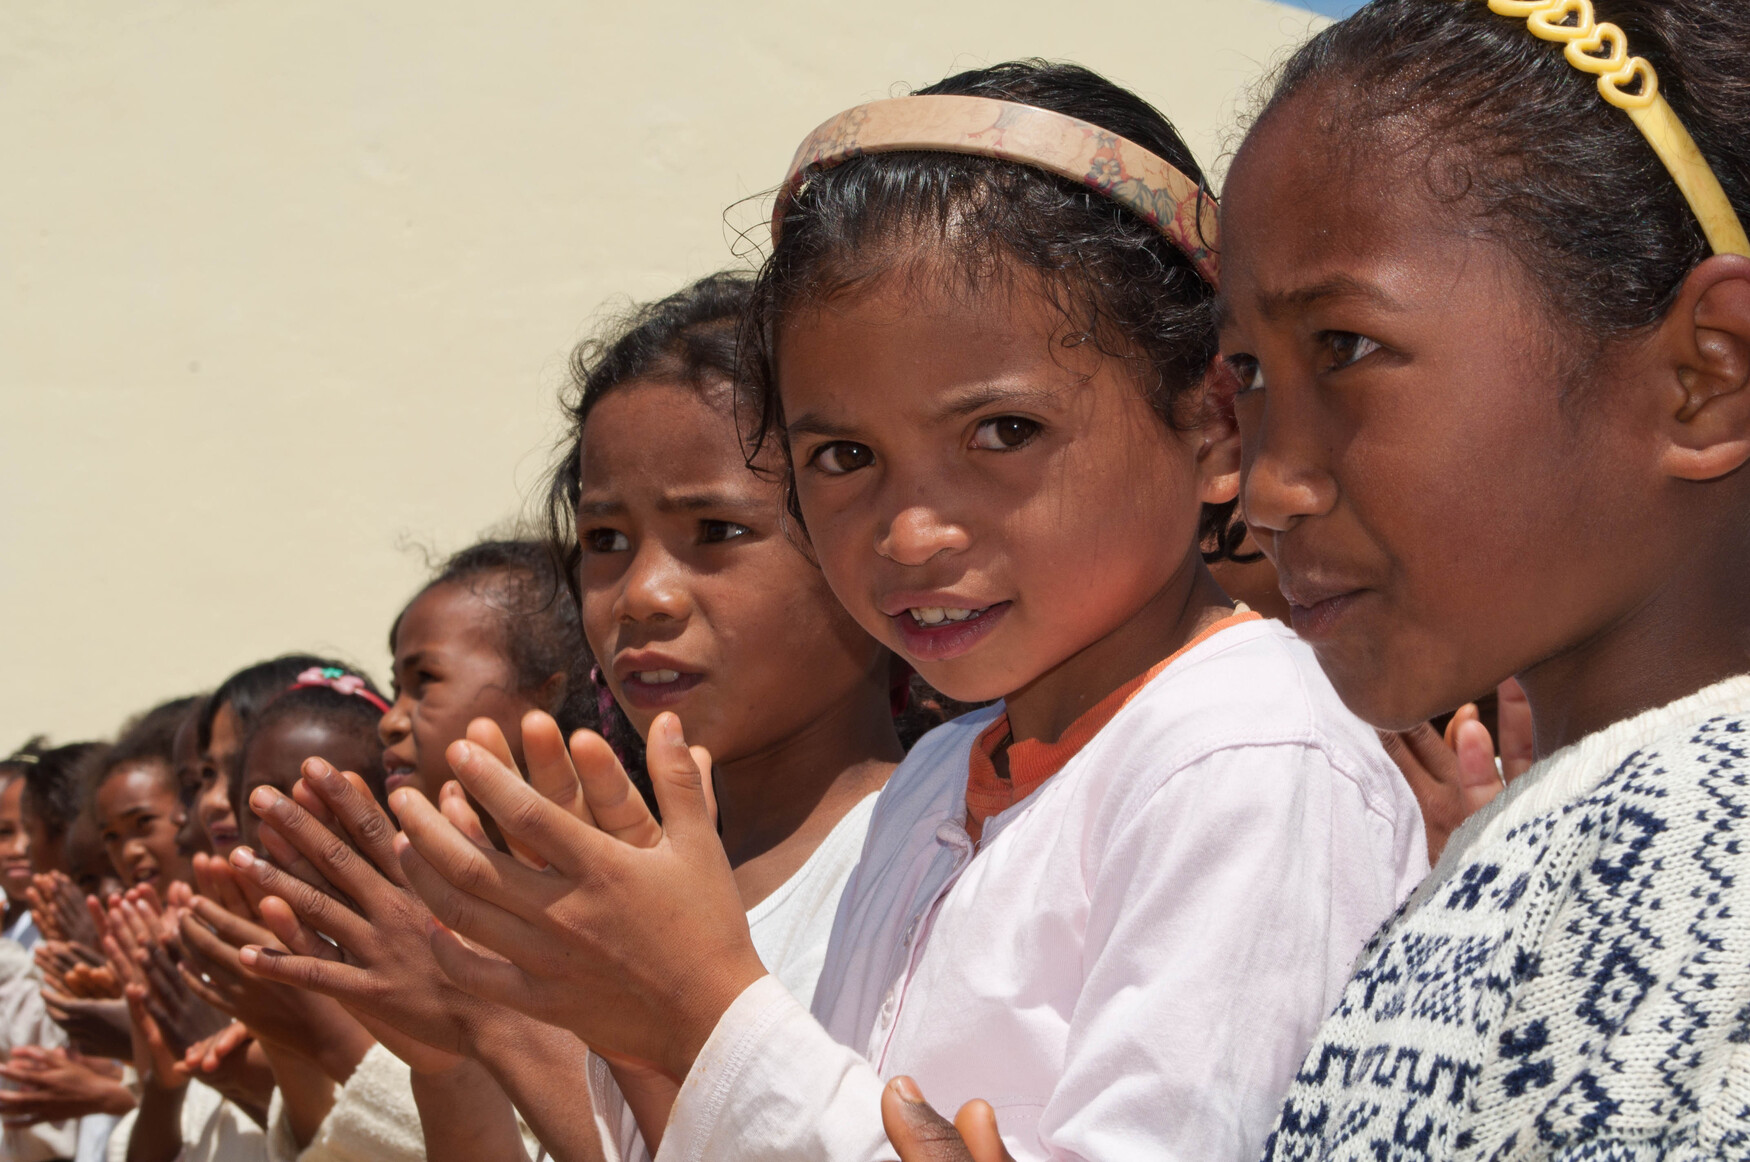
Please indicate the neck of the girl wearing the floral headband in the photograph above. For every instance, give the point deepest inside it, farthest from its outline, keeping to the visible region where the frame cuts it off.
(1184, 608)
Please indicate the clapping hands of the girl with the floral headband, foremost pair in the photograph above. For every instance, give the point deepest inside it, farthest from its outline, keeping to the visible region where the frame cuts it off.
(636, 949)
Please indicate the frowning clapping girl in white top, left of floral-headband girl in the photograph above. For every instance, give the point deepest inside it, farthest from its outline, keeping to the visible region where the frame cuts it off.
(694, 599)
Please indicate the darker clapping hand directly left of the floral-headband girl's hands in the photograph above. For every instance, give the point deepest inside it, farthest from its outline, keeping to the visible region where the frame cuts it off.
(381, 965)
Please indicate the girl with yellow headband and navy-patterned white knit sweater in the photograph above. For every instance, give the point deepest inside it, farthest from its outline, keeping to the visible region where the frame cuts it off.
(1494, 333)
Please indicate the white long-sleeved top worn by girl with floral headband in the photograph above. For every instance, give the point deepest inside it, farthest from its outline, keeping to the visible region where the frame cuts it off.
(1128, 967)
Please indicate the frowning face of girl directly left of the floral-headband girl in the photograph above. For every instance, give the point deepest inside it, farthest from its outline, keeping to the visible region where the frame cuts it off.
(694, 598)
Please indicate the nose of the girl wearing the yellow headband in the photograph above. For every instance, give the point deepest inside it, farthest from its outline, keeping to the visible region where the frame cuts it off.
(1284, 475)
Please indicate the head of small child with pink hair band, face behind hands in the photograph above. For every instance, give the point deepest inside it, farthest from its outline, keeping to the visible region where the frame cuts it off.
(328, 715)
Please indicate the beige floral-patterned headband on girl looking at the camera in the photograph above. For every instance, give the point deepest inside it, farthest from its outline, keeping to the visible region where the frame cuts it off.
(1107, 164)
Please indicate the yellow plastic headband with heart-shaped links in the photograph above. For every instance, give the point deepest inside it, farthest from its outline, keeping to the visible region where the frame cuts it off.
(1604, 52)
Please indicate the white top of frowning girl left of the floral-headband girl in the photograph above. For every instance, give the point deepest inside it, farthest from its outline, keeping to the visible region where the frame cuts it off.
(790, 930)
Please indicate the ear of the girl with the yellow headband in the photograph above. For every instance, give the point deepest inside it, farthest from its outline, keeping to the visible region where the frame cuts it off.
(1705, 416)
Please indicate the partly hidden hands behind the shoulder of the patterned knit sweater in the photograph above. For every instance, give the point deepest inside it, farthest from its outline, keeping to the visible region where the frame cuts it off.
(1457, 776)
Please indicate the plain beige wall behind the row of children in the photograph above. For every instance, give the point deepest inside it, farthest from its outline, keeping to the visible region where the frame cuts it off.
(288, 288)
